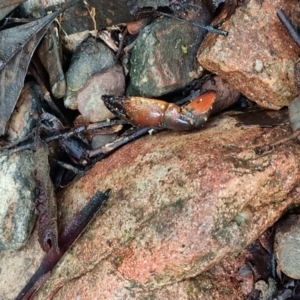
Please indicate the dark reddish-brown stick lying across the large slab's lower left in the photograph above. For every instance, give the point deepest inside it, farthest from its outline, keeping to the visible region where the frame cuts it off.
(65, 240)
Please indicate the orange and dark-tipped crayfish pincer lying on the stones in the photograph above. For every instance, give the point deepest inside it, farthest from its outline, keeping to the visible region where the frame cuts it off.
(146, 112)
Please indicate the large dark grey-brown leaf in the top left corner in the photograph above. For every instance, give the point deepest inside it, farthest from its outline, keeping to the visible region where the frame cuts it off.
(16, 48)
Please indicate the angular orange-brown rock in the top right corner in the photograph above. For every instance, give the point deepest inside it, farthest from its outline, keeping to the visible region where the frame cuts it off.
(258, 55)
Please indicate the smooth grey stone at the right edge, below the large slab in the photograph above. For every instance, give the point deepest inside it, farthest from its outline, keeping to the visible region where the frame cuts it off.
(287, 245)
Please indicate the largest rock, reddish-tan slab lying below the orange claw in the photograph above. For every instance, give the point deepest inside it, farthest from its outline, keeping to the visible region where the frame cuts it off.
(180, 202)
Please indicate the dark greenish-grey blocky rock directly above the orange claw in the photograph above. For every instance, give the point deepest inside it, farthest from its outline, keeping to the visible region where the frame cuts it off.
(163, 59)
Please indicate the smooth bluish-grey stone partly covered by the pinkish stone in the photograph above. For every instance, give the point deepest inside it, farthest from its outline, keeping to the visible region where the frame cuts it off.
(90, 57)
